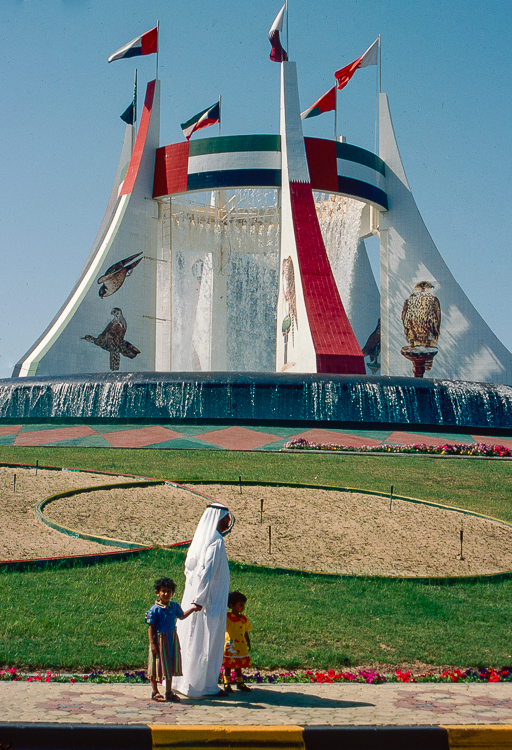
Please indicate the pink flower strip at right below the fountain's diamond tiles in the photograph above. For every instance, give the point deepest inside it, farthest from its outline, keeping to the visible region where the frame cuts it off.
(448, 449)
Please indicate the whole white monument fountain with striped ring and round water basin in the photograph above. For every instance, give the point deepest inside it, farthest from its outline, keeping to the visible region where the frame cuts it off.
(251, 295)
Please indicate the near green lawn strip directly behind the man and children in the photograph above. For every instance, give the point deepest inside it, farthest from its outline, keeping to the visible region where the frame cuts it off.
(84, 618)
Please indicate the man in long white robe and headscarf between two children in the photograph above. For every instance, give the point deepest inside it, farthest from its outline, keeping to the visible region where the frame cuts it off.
(207, 585)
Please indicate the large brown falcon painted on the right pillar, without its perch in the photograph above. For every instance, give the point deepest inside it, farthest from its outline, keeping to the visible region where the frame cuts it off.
(421, 316)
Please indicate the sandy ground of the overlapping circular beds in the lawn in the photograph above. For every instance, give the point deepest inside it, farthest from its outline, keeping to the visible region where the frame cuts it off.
(315, 530)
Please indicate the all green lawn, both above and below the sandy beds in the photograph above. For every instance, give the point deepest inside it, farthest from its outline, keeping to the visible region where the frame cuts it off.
(84, 618)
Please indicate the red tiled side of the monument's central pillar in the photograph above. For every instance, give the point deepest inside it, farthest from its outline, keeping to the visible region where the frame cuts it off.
(336, 347)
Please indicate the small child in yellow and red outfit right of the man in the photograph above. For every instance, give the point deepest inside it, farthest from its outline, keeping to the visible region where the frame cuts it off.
(237, 644)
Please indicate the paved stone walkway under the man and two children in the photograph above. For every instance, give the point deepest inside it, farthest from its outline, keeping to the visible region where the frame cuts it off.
(340, 705)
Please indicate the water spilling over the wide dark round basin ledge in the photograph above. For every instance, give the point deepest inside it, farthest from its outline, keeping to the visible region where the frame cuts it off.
(259, 398)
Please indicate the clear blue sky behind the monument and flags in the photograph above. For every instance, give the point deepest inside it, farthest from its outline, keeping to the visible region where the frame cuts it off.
(445, 67)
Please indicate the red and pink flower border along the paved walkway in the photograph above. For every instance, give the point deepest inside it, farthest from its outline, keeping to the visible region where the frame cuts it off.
(368, 676)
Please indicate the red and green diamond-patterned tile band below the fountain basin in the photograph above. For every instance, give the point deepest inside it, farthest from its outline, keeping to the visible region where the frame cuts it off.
(217, 437)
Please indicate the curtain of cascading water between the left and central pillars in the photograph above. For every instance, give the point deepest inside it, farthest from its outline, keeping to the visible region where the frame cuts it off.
(222, 247)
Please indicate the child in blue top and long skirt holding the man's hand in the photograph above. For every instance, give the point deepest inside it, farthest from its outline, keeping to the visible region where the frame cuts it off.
(164, 661)
